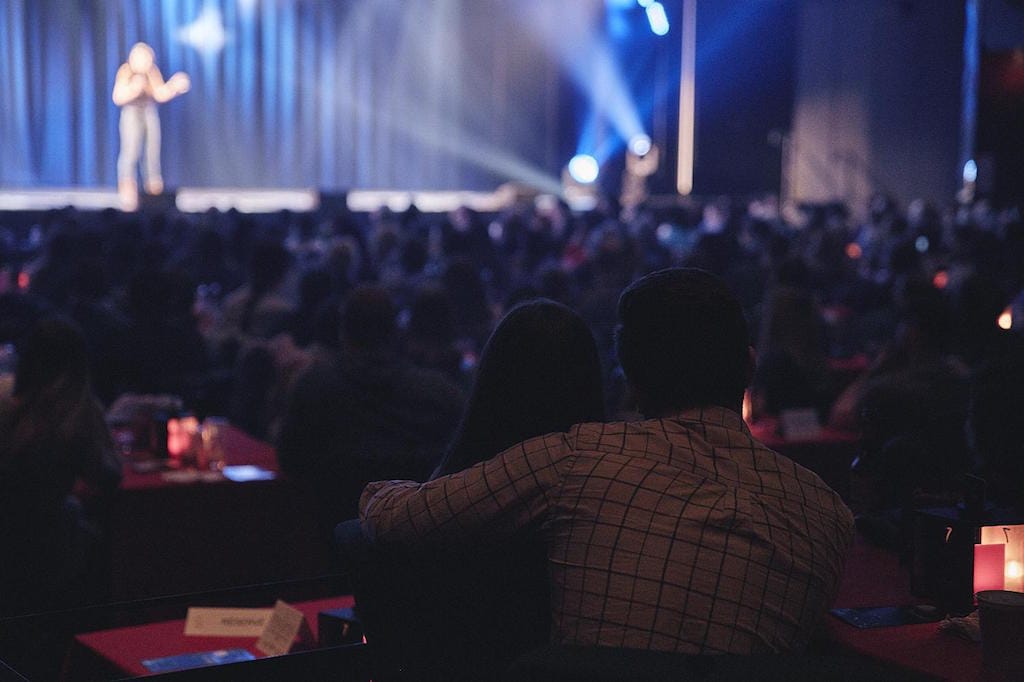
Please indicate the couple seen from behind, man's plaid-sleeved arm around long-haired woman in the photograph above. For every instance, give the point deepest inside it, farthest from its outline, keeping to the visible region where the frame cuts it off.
(678, 534)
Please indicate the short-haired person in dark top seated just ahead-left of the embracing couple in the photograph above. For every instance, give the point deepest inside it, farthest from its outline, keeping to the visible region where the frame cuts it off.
(364, 412)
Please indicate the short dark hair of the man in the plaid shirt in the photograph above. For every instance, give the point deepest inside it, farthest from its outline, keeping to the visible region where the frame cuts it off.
(682, 342)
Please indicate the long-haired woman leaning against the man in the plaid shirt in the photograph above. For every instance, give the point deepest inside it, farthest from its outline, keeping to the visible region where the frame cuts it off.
(468, 616)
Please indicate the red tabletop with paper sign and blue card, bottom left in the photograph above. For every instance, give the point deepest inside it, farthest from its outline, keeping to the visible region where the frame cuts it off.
(120, 652)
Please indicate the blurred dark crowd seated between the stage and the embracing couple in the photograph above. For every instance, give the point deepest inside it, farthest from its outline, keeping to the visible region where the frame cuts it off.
(340, 335)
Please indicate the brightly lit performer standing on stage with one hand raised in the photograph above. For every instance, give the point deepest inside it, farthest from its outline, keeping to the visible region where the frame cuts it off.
(138, 89)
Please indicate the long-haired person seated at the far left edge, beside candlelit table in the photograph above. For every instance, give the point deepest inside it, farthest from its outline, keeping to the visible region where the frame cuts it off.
(58, 467)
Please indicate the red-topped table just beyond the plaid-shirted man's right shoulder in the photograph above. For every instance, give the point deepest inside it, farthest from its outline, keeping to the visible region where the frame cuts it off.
(829, 455)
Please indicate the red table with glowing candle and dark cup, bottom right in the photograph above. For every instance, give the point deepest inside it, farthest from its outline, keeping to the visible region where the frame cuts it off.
(874, 578)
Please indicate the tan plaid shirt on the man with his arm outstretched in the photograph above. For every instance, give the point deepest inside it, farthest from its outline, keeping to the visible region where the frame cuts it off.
(678, 535)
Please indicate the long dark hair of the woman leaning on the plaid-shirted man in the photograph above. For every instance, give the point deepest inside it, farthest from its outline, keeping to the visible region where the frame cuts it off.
(539, 374)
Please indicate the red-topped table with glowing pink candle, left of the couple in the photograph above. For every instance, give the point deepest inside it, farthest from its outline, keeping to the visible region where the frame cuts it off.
(172, 538)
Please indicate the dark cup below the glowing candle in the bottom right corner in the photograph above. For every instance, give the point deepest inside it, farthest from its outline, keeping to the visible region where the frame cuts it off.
(1002, 616)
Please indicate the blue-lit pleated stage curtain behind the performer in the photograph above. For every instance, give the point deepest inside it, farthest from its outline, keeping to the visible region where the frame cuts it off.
(369, 94)
